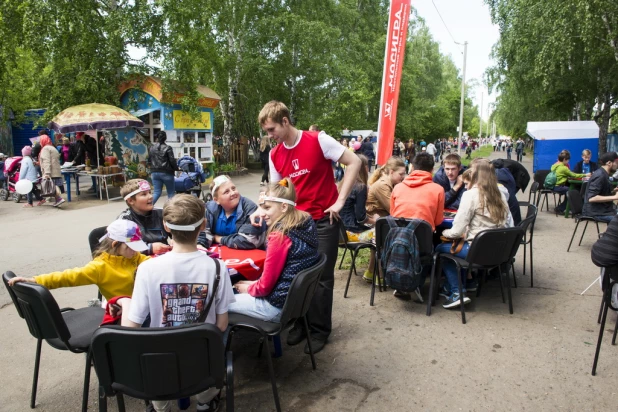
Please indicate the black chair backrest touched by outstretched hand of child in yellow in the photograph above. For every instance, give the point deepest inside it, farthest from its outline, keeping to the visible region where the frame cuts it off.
(37, 306)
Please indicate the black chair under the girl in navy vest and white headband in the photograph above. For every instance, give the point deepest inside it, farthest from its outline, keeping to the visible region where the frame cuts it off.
(296, 306)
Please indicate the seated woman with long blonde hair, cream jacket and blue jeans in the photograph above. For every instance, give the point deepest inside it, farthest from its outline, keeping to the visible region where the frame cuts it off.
(483, 206)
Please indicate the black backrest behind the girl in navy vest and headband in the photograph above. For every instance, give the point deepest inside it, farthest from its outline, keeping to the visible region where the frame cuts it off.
(301, 292)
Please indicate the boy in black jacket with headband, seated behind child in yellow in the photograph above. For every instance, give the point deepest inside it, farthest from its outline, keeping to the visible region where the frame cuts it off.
(137, 194)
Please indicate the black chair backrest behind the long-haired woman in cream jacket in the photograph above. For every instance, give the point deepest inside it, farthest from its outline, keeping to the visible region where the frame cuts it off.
(493, 247)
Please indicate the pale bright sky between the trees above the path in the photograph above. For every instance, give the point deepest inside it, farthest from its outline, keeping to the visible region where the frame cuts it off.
(467, 20)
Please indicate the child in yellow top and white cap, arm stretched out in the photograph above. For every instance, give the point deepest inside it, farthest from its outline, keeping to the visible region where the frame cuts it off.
(112, 269)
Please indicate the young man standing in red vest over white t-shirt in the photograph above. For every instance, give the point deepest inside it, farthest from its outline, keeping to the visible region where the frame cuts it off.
(306, 158)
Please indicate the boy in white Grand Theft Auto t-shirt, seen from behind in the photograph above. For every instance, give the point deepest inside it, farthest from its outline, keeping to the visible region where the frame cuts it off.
(177, 286)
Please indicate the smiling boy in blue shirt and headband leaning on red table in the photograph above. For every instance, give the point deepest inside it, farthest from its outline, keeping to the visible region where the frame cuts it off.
(228, 218)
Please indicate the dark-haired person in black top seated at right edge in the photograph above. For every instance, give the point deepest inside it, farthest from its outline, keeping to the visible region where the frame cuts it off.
(600, 195)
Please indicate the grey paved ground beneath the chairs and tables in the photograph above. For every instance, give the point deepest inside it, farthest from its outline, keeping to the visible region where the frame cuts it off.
(386, 357)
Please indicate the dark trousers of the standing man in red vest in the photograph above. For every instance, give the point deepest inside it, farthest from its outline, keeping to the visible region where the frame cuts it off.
(321, 309)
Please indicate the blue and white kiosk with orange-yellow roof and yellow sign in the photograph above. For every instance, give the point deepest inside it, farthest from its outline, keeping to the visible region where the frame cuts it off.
(145, 99)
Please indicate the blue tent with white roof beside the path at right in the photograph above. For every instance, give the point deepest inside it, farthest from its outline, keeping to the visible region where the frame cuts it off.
(550, 138)
